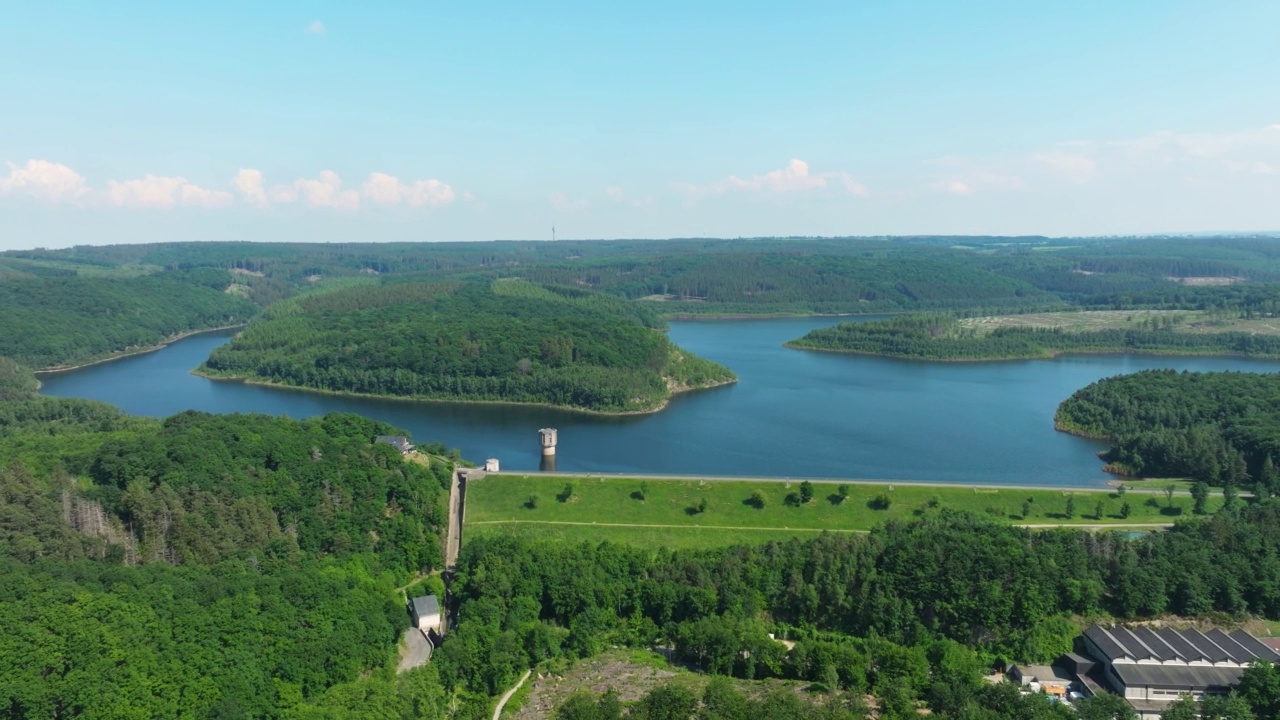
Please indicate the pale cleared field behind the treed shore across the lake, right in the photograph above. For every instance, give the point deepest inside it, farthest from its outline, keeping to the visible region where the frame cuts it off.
(1183, 321)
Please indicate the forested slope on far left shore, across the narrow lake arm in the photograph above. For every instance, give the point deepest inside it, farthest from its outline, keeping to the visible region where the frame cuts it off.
(47, 322)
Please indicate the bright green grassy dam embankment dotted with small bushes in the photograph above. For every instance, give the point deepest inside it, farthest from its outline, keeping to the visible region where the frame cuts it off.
(666, 513)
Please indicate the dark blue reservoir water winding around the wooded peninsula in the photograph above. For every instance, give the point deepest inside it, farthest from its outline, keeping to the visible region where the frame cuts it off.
(792, 414)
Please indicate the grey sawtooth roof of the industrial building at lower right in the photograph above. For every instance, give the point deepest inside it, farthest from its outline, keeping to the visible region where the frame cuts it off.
(1169, 645)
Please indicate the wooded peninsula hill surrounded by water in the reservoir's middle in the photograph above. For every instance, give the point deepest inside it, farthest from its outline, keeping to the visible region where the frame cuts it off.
(508, 341)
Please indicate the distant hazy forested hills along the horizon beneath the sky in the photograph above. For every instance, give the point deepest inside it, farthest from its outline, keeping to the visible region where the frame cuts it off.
(749, 276)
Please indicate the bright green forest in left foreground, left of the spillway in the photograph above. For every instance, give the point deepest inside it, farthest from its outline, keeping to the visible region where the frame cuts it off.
(203, 566)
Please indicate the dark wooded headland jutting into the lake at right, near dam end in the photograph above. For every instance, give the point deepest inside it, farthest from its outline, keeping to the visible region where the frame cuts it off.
(1219, 429)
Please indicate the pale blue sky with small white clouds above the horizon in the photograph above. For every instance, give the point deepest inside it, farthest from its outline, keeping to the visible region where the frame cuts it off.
(131, 122)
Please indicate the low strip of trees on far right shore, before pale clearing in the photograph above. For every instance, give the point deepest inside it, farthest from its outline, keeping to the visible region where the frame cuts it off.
(943, 338)
